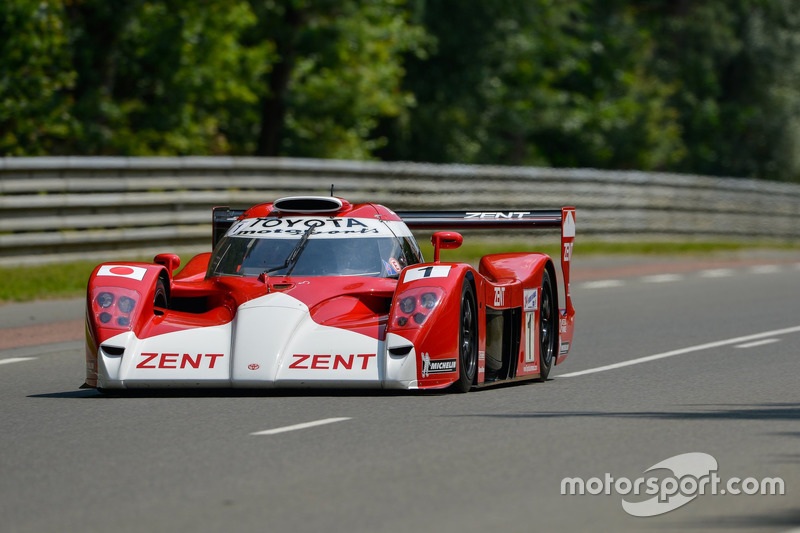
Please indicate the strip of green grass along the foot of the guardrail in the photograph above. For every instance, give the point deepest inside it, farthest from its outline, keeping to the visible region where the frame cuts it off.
(68, 280)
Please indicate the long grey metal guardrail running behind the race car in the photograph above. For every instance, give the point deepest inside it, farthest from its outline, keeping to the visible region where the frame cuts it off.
(64, 208)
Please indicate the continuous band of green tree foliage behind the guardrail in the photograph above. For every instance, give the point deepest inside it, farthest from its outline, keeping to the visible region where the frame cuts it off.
(705, 87)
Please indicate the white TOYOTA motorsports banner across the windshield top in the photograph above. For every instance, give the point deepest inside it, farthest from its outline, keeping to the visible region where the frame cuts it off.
(291, 227)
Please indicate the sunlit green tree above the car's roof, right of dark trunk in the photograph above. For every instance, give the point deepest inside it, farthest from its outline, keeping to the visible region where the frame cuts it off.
(338, 70)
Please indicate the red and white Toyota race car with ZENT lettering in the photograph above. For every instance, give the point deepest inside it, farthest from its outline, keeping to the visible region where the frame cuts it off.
(318, 292)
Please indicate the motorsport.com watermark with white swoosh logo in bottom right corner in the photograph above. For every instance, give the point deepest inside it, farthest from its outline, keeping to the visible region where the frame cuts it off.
(693, 474)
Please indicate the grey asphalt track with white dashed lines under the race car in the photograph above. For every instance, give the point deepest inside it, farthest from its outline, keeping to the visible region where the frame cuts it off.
(669, 358)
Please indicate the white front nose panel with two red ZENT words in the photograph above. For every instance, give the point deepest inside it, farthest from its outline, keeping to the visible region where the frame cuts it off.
(271, 342)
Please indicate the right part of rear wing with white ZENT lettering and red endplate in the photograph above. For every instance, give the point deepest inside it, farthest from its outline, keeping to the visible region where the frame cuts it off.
(519, 219)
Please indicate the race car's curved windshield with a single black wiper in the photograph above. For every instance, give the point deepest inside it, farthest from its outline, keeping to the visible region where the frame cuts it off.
(245, 251)
